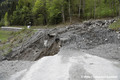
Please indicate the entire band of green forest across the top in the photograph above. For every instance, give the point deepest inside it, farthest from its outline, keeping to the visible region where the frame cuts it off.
(50, 12)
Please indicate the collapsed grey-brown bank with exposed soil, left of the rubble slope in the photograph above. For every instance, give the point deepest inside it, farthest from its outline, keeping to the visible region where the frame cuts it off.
(42, 43)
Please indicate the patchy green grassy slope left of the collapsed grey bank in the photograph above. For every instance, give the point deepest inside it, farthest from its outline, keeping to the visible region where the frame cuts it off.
(12, 40)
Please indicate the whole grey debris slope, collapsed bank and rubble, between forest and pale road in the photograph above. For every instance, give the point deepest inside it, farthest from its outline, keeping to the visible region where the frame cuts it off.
(86, 36)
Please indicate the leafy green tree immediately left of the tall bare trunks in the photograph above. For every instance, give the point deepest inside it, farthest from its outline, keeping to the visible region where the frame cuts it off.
(55, 11)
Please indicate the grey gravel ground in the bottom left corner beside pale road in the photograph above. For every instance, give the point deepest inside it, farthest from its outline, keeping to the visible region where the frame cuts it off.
(8, 68)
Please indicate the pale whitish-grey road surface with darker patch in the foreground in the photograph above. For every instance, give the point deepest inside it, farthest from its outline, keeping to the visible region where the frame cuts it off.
(71, 65)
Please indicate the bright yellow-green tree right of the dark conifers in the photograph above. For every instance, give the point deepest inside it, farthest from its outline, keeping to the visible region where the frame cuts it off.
(40, 12)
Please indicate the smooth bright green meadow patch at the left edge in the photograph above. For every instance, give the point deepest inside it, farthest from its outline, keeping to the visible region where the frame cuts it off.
(4, 35)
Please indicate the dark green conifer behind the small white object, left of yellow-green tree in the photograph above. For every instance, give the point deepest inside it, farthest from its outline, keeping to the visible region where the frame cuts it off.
(22, 15)
